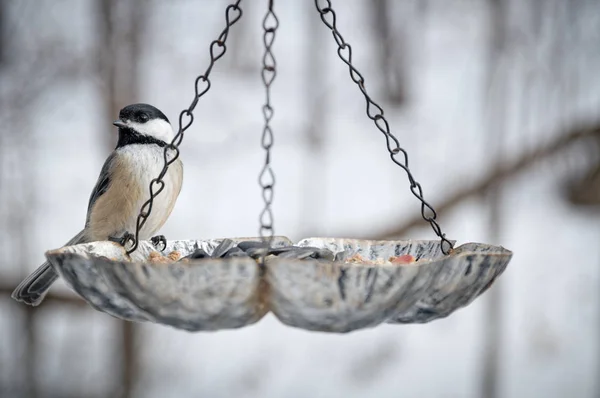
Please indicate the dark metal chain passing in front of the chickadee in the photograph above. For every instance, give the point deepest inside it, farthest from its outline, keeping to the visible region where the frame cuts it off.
(202, 84)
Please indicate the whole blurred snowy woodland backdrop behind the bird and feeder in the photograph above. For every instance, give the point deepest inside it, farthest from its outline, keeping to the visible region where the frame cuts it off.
(468, 106)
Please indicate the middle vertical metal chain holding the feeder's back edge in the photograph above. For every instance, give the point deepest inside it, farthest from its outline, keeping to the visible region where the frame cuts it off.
(266, 178)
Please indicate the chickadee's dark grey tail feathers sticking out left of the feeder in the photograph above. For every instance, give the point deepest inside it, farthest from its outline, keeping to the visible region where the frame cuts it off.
(34, 288)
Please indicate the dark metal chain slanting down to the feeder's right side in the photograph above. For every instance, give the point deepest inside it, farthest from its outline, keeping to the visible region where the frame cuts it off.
(375, 113)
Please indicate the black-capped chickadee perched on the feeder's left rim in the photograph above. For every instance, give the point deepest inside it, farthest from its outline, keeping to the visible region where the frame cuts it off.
(121, 190)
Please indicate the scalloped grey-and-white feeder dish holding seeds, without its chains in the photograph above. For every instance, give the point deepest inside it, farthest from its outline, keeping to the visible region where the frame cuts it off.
(359, 288)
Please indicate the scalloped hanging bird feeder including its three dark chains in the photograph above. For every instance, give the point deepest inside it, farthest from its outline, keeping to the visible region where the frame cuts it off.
(323, 284)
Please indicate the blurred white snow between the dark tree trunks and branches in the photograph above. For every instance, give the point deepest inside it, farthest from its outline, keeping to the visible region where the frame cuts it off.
(549, 292)
